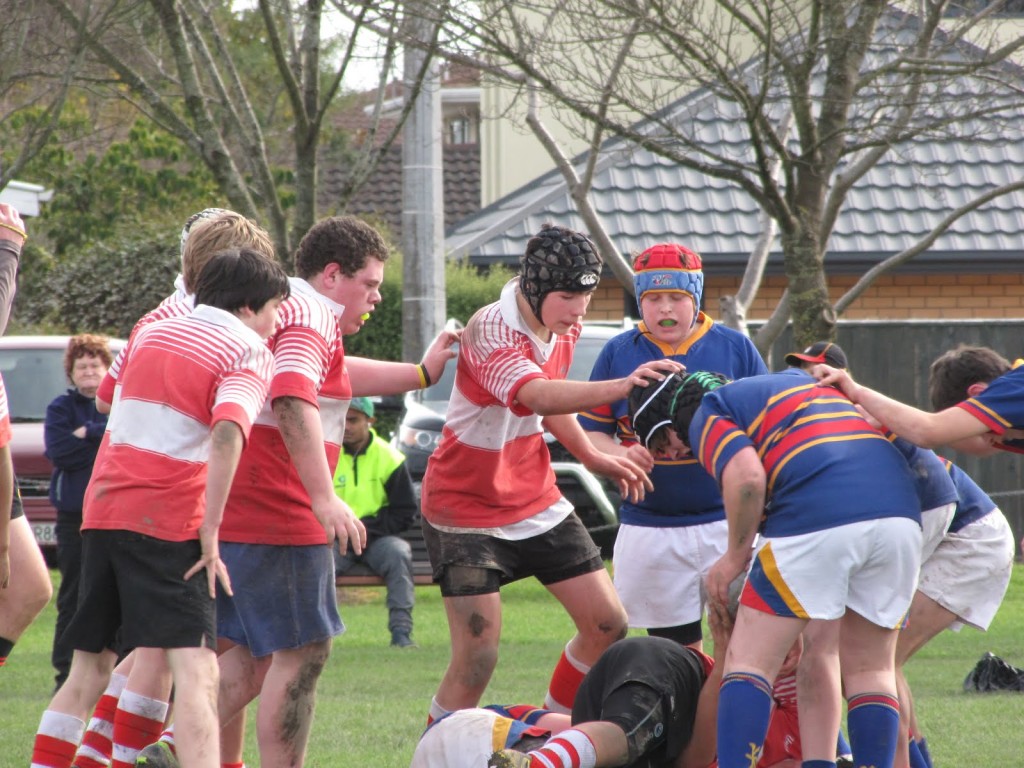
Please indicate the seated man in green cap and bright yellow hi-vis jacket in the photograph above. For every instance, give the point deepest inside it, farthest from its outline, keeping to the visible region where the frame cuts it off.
(373, 480)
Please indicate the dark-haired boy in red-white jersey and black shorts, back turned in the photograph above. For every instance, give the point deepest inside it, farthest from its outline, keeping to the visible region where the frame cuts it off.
(188, 396)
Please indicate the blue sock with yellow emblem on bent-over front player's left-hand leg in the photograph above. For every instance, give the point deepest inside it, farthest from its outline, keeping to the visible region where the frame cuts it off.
(744, 709)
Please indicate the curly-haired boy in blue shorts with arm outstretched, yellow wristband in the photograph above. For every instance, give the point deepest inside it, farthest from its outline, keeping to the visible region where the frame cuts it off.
(283, 517)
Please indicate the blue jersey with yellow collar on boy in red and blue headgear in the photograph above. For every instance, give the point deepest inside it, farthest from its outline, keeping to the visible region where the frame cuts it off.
(685, 494)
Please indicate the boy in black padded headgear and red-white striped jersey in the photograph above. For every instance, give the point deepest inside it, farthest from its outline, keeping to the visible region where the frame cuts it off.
(493, 510)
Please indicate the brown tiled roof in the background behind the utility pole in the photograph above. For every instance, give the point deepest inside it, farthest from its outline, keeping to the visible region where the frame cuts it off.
(381, 196)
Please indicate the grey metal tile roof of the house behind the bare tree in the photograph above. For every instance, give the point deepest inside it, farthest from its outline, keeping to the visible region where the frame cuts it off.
(645, 199)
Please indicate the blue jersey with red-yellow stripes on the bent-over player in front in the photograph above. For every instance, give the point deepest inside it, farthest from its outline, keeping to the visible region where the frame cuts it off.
(826, 465)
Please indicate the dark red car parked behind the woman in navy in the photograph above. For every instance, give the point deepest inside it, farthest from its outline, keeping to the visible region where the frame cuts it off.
(33, 374)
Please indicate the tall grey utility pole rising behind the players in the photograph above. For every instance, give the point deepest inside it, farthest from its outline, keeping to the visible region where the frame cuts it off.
(423, 305)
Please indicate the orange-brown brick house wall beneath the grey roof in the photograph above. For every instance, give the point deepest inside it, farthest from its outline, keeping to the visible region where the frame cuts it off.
(890, 297)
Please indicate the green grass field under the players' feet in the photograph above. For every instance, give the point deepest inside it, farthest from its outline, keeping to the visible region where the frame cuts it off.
(373, 700)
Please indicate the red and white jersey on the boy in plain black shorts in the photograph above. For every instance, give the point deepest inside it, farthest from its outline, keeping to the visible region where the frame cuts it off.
(181, 377)
